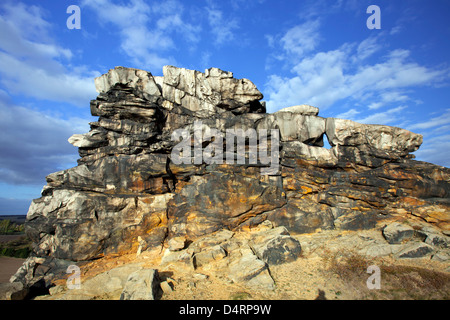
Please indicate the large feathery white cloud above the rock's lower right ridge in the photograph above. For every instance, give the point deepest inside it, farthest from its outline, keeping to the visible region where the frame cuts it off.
(324, 78)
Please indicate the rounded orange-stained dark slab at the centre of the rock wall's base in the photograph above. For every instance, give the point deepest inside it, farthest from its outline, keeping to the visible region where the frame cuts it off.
(208, 203)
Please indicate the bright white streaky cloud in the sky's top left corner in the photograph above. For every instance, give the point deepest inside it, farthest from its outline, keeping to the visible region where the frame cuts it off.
(34, 68)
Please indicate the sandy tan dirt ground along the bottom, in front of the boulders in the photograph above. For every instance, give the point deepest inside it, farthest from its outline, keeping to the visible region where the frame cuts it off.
(323, 271)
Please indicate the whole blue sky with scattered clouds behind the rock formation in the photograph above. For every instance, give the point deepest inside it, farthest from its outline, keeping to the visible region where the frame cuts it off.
(297, 52)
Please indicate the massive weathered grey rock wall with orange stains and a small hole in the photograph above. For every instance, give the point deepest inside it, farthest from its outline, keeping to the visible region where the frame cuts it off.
(129, 193)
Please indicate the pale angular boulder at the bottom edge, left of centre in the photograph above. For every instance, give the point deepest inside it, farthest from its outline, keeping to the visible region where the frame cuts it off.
(141, 285)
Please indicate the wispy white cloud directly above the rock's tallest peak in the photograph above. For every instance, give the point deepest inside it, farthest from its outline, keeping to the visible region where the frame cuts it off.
(146, 32)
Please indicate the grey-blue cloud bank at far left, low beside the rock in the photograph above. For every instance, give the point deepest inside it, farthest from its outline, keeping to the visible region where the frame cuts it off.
(33, 144)
